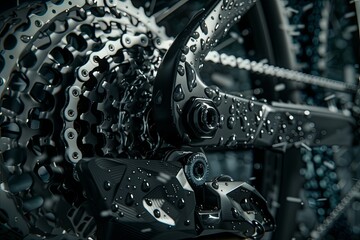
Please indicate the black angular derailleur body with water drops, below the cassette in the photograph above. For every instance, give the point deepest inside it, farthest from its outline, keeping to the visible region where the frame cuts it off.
(153, 199)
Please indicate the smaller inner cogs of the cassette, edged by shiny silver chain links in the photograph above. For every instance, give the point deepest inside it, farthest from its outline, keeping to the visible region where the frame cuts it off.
(122, 94)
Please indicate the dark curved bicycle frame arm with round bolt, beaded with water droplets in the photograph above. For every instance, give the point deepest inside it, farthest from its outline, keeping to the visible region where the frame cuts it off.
(188, 112)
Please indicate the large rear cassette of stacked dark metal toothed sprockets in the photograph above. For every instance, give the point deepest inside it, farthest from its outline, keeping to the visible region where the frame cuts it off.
(42, 85)
